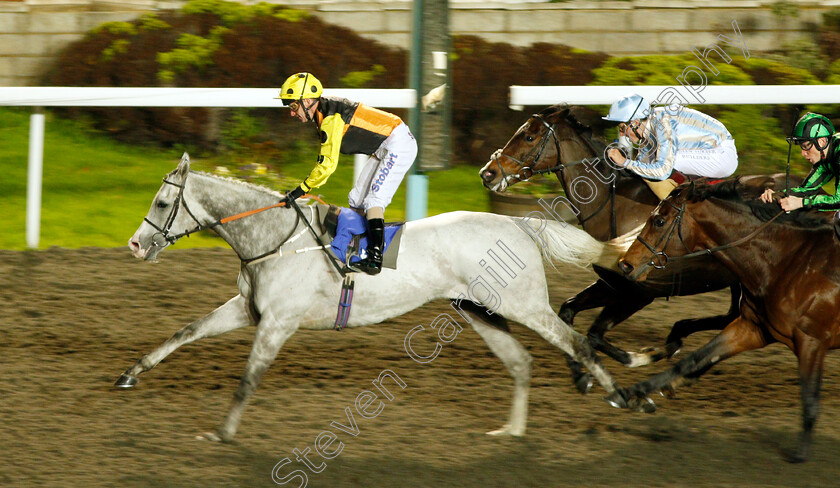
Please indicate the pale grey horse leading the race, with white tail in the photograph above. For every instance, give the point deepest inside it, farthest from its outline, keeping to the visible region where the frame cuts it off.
(439, 257)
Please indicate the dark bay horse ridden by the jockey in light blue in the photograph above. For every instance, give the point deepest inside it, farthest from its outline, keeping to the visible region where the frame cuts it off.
(608, 202)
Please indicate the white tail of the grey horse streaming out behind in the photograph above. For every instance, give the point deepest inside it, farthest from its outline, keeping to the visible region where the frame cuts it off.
(564, 243)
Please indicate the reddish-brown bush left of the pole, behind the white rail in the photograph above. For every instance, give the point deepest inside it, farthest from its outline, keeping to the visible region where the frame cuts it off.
(258, 53)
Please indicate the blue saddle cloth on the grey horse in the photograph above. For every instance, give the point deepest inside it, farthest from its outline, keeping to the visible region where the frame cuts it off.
(348, 230)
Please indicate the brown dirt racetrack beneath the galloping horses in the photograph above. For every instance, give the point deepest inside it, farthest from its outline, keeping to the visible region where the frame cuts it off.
(72, 320)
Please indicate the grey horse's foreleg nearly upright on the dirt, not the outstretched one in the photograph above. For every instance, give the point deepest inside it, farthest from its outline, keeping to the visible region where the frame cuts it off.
(268, 340)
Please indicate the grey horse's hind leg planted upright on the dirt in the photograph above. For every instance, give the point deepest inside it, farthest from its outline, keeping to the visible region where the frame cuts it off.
(518, 363)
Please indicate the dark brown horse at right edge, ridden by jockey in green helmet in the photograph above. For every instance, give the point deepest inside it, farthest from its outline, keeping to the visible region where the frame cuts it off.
(789, 268)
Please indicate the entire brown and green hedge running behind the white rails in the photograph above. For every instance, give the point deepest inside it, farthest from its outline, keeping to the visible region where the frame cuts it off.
(225, 44)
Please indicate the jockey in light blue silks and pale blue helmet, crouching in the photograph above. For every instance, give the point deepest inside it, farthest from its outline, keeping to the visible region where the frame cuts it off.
(687, 141)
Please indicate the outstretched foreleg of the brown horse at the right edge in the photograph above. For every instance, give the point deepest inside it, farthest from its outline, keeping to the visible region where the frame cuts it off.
(741, 335)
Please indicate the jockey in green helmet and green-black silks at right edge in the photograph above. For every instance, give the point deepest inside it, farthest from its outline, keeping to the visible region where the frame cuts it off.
(814, 134)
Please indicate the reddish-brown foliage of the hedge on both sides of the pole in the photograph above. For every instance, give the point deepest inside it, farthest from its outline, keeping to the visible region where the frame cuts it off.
(265, 49)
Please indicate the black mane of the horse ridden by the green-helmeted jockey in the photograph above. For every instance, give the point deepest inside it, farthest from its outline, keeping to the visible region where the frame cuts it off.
(745, 198)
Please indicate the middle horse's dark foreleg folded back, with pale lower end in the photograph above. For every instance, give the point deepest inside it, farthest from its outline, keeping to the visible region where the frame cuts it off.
(614, 313)
